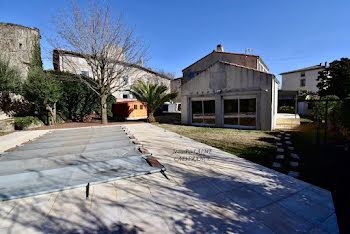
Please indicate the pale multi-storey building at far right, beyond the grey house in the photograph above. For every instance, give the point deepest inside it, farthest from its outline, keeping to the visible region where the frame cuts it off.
(303, 80)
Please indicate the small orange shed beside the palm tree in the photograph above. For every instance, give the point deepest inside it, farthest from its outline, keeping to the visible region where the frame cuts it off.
(129, 110)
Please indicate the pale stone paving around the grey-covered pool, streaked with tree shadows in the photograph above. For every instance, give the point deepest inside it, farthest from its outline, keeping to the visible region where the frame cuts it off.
(216, 192)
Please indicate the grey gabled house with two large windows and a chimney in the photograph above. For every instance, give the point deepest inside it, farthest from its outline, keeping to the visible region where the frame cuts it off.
(218, 92)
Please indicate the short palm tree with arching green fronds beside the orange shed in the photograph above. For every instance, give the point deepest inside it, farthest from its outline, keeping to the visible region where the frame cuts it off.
(154, 95)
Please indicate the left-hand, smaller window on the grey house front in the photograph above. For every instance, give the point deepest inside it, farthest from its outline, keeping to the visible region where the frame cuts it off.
(203, 112)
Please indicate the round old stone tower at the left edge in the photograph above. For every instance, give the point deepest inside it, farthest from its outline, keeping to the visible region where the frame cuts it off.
(17, 43)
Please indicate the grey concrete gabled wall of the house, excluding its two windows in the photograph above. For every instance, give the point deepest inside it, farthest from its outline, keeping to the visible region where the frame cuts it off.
(222, 80)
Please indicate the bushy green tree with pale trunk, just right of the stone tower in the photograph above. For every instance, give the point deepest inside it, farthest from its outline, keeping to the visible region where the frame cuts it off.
(41, 88)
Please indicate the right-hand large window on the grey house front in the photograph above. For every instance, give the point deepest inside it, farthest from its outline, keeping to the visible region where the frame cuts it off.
(240, 112)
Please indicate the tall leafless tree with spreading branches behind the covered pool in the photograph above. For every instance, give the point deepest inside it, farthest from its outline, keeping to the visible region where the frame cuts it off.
(100, 43)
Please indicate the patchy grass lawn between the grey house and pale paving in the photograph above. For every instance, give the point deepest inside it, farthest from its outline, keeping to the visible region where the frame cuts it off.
(255, 146)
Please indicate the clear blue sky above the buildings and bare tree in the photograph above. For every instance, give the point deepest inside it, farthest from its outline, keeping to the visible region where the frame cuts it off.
(286, 34)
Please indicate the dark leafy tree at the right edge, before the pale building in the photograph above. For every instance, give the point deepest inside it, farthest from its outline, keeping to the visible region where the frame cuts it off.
(335, 80)
